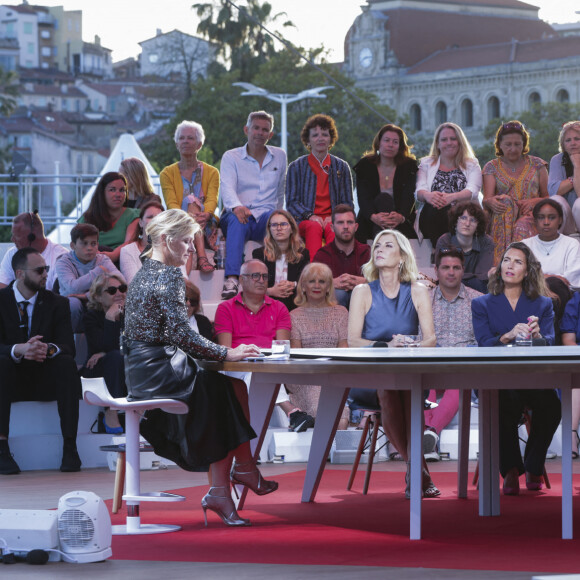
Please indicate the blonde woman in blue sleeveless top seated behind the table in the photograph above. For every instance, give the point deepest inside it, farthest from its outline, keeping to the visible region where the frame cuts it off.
(393, 304)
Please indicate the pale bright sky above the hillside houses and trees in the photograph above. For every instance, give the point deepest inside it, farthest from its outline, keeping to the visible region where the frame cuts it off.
(122, 24)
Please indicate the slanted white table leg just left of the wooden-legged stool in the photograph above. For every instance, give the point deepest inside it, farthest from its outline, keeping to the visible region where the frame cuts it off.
(330, 406)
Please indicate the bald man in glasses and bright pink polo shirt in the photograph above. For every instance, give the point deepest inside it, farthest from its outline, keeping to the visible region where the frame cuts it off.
(253, 317)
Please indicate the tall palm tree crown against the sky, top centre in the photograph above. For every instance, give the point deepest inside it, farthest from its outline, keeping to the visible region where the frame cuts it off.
(244, 45)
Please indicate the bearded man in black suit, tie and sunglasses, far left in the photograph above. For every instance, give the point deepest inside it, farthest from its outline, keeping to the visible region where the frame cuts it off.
(37, 355)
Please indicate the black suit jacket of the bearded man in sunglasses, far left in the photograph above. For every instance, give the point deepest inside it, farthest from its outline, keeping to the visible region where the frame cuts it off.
(50, 319)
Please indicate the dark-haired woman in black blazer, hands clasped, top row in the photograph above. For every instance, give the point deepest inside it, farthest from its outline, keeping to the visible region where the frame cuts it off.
(386, 177)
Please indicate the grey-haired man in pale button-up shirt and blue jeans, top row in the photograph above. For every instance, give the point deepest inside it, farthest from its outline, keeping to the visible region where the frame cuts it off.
(252, 184)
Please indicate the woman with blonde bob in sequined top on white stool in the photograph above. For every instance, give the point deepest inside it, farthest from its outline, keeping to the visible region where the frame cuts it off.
(160, 351)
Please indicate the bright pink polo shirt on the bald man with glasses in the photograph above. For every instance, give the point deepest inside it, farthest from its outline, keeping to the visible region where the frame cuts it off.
(235, 318)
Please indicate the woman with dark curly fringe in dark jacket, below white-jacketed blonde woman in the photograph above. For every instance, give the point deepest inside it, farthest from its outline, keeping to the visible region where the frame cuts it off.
(467, 224)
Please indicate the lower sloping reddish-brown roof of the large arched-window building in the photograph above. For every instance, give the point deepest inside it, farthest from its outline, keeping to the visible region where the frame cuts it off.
(552, 48)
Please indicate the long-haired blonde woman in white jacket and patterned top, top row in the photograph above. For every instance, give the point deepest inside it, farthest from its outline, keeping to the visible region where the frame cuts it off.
(448, 175)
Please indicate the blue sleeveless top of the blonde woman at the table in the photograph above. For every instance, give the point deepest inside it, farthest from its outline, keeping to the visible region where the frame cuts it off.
(388, 316)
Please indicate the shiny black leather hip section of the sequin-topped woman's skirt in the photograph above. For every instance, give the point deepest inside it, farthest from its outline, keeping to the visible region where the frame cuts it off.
(155, 371)
